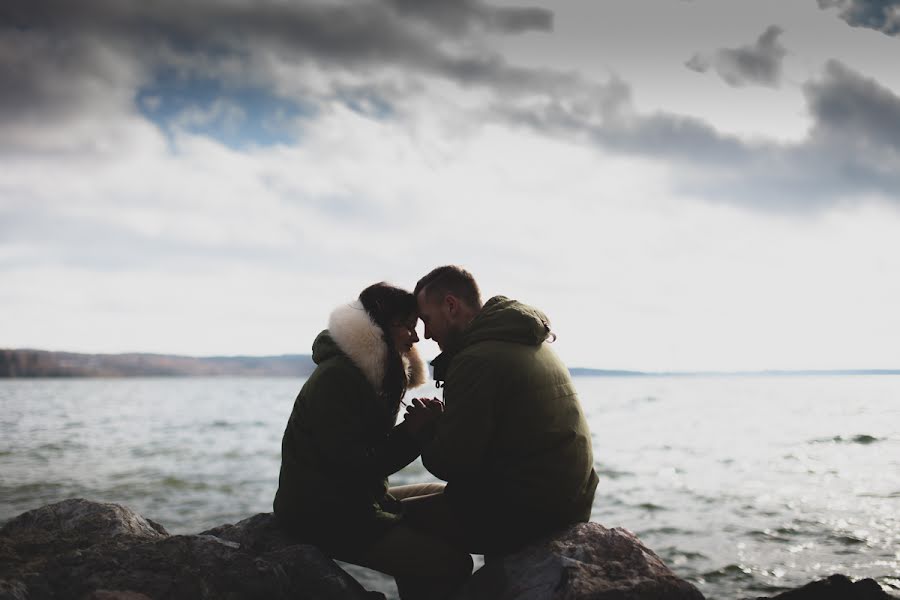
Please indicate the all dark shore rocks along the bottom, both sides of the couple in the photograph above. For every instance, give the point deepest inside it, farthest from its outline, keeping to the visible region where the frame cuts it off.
(92, 551)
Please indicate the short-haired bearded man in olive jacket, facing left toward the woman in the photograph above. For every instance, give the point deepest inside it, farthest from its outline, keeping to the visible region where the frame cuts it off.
(513, 444)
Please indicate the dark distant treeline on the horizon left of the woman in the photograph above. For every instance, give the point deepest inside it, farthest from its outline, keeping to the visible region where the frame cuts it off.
(41, 363)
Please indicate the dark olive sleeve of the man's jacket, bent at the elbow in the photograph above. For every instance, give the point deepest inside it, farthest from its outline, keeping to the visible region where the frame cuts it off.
(458, 447)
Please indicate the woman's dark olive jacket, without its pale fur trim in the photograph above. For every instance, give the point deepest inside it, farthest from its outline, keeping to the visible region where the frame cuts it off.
(339, 447)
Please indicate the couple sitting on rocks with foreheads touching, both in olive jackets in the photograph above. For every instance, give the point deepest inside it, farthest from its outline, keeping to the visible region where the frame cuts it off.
(509, 438)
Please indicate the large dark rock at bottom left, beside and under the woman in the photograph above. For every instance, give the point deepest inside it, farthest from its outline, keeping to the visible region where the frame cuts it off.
(87, 550)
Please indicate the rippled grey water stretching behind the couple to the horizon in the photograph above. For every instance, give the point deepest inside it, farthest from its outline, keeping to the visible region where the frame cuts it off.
(743, 485)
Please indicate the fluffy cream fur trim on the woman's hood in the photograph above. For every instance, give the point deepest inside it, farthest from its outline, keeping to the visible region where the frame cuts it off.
(359, 337)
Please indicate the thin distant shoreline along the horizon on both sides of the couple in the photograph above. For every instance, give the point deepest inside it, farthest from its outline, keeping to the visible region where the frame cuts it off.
(28, 363)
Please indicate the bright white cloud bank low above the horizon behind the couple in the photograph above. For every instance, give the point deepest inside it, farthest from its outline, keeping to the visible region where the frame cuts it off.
(632, 275)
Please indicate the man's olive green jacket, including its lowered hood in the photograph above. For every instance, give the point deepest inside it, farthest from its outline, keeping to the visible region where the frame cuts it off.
(513, 443)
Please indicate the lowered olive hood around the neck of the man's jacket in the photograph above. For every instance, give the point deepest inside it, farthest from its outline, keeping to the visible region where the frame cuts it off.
(501, 319)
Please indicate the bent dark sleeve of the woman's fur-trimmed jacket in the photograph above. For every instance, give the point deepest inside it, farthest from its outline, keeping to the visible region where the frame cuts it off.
(342, 430)
